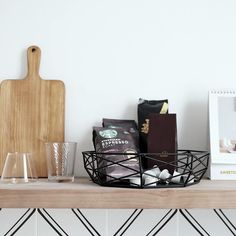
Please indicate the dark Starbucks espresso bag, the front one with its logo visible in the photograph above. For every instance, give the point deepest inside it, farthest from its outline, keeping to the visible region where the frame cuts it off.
(115, 140)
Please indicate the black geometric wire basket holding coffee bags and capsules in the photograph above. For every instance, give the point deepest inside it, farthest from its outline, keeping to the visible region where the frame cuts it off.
(126, 169)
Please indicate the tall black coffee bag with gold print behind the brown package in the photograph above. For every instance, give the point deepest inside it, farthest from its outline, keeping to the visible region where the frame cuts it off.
(145, 108)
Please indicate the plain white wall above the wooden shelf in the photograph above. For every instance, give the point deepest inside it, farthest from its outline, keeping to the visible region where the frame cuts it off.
(110, 53)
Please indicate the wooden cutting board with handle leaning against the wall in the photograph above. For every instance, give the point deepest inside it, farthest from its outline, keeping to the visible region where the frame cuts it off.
(32, 113)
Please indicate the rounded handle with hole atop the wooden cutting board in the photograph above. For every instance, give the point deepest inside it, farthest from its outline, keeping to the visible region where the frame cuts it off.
(33, 57)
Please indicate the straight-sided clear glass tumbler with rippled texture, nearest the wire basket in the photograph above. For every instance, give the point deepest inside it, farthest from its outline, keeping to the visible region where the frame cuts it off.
(60, 161)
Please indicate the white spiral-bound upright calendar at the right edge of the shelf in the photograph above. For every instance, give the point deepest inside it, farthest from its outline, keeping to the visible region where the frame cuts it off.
(222, 125)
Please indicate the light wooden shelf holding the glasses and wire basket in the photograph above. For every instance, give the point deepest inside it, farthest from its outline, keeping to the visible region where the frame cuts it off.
(85, 194)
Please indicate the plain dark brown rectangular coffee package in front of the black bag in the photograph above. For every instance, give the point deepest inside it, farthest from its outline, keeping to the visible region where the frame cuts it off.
(162, 139)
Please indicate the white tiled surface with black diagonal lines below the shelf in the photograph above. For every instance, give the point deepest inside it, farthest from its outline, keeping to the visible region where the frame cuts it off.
(117, 222)
